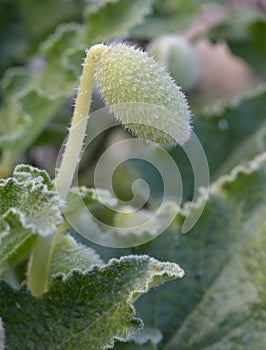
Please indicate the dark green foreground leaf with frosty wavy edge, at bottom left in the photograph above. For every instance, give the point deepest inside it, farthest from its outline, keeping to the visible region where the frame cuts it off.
(85, 310)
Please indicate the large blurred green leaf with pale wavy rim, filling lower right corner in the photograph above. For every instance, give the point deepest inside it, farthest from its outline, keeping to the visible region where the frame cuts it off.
(220, 304)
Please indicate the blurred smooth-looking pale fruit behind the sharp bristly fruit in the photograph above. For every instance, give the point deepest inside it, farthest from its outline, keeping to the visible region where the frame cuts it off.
(178, 56)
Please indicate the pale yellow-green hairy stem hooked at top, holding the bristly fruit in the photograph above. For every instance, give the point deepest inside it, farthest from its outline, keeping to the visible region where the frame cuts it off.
(77, 130)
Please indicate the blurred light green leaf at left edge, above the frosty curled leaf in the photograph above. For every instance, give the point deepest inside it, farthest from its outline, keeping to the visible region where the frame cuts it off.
(28, 113)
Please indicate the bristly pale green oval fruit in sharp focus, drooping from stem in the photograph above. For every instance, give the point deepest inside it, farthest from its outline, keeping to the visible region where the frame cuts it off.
(143, 96)
